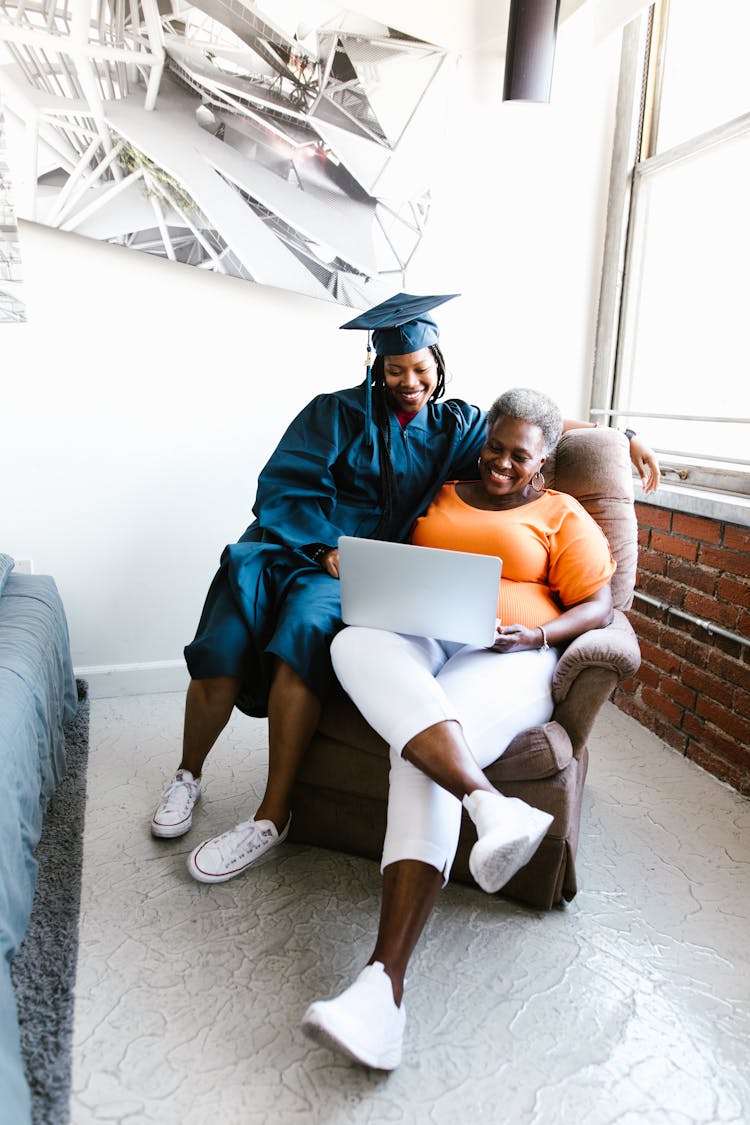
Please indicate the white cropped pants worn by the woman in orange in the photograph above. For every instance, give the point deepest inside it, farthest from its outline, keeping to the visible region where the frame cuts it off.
(405, 685)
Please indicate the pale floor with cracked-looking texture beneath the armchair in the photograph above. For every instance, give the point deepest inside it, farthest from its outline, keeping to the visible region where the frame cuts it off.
(630, 1005)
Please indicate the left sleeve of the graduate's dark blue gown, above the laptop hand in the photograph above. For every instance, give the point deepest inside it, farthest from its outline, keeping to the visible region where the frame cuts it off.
(297, 494)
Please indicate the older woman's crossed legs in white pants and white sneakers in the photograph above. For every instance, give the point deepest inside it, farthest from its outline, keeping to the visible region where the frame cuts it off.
(422, 697)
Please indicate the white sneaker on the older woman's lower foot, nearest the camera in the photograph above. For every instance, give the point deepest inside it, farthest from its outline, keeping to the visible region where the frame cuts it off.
(364, 1022)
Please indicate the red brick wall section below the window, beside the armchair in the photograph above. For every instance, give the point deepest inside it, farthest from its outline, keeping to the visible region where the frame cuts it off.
(693, 689)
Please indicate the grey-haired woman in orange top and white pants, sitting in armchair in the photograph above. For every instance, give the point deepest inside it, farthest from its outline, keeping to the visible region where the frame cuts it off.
(448, 710)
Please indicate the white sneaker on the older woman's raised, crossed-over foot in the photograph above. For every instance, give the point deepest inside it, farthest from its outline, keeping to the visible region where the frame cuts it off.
(510, 832)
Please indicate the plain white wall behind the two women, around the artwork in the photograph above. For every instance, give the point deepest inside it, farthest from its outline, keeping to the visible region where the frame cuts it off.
(142, 399)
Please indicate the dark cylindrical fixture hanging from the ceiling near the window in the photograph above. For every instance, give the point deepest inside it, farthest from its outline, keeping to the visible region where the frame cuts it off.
(530, 53)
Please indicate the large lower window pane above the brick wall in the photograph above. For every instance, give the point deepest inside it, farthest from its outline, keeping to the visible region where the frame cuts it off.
(684, 346)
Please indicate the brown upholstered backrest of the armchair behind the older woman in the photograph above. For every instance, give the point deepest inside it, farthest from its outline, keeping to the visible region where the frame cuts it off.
(594, 466)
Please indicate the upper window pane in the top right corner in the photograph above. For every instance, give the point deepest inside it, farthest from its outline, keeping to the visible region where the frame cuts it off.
(707, 77)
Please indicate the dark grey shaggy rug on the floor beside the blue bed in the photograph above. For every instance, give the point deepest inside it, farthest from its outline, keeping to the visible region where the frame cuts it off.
(44, 970)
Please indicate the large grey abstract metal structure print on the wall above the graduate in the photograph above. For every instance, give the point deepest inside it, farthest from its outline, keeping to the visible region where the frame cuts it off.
(228, 136)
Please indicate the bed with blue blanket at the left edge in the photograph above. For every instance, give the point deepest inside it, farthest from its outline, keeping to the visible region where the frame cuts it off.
(38, 697)
